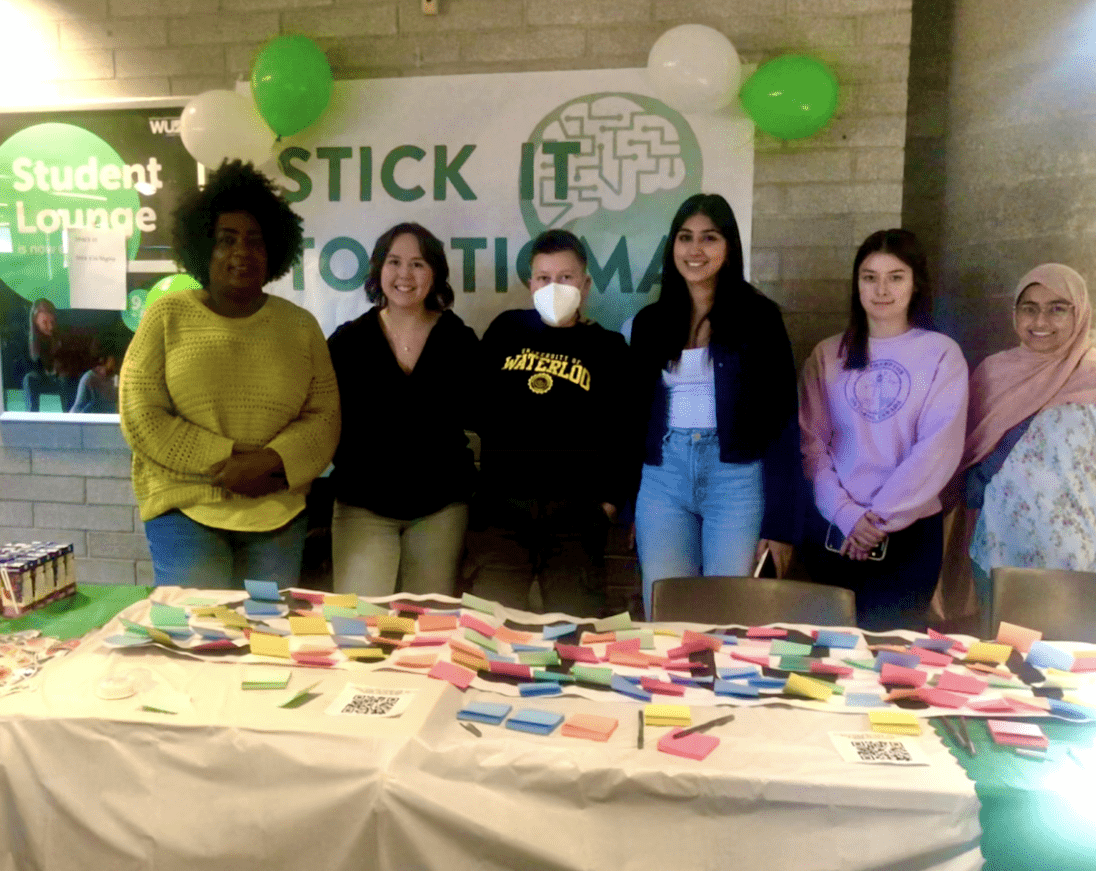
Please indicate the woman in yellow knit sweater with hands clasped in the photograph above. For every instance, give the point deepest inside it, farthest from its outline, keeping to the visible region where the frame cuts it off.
(227, 396)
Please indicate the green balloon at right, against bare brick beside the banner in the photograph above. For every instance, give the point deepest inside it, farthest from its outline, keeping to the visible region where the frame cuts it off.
(792, 97)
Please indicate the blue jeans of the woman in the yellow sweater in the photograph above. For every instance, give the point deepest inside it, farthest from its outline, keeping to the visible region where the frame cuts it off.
(187, 554)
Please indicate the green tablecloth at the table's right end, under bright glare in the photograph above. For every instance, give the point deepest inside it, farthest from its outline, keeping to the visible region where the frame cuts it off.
(1036, 816)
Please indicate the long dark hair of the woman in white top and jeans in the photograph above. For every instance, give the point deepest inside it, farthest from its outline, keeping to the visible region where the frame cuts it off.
(675, 303)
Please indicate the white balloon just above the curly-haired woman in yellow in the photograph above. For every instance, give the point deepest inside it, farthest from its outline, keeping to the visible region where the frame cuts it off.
(224, 125)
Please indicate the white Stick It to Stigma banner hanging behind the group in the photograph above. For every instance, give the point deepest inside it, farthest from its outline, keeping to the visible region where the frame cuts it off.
(489, 162)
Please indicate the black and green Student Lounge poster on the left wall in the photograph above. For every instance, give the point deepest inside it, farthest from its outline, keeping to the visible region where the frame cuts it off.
(86, 198)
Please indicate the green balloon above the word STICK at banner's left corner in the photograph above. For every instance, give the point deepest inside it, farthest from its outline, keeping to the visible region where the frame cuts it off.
(291, 83)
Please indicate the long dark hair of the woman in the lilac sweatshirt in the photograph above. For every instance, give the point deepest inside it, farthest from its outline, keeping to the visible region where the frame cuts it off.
(905, 246)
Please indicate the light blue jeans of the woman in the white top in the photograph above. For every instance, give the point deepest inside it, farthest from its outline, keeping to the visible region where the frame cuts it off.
(697, 515)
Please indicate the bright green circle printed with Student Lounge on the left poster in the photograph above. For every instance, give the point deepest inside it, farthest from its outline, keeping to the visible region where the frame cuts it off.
(60, 176)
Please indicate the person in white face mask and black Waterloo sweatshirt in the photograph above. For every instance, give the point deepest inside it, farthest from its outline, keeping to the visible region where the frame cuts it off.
(555, 461)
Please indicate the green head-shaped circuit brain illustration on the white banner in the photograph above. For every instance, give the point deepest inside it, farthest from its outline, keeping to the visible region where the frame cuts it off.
(630, 162)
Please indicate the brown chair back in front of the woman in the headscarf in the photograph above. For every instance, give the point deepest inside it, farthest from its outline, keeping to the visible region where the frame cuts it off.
(1059, 603)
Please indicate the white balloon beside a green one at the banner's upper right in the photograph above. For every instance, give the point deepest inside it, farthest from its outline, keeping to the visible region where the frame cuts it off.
(695, 68)
